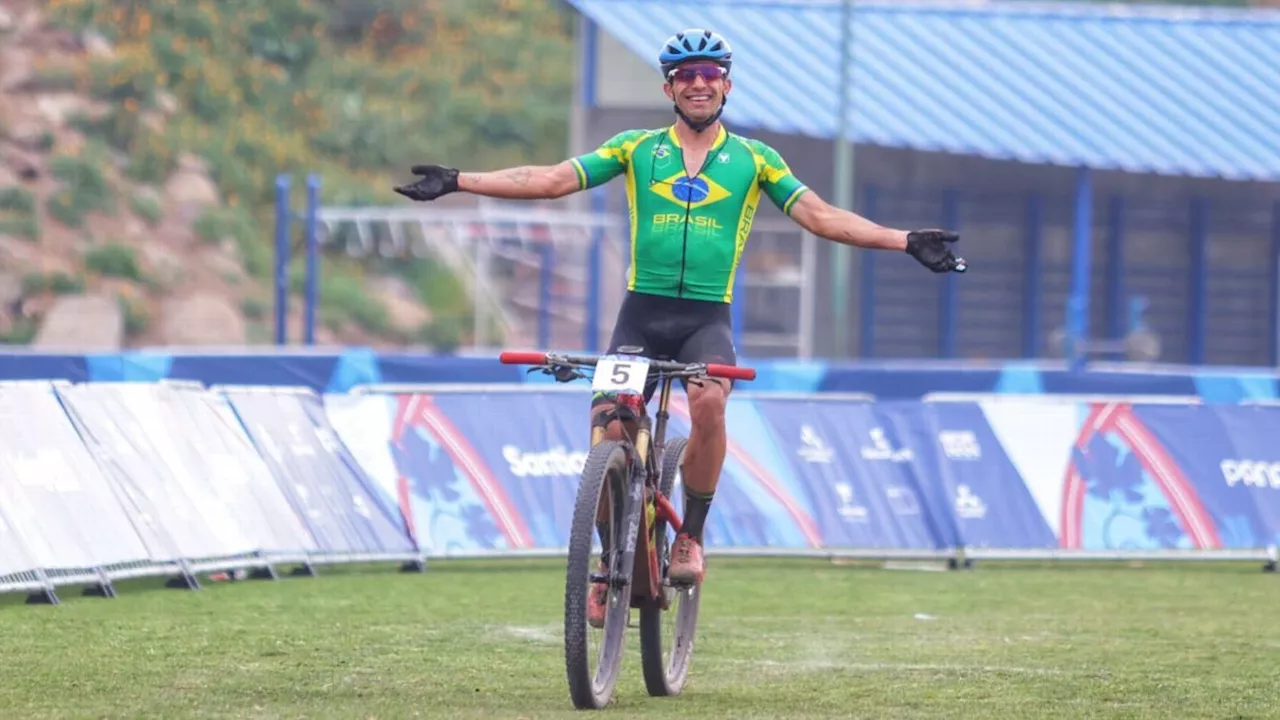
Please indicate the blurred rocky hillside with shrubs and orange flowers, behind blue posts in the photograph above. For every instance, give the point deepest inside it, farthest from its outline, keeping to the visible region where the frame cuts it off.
(140, 142)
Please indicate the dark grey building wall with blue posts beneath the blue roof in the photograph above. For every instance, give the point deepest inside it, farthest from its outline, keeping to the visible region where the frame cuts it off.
(991, 202)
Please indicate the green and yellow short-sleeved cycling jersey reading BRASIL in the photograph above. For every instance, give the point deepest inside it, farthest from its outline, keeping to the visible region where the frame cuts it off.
(688, 234)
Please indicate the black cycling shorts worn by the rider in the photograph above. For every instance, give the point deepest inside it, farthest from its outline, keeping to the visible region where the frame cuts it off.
(674, 329)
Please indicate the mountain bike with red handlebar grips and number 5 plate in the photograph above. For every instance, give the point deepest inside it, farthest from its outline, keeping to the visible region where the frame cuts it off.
(628, 484)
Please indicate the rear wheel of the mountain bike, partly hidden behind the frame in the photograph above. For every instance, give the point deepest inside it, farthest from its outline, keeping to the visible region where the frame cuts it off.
(666, 658)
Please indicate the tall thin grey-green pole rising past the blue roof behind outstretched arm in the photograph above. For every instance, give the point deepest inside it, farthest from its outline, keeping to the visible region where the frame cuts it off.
(844, 184)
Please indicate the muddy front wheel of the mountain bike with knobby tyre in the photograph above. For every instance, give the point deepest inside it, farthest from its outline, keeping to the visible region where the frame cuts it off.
(606, 475)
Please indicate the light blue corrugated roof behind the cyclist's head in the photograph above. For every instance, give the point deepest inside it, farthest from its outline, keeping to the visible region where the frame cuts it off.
(1171, 90)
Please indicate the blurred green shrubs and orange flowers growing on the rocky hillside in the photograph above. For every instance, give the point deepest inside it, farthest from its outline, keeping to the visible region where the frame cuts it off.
(354, 90)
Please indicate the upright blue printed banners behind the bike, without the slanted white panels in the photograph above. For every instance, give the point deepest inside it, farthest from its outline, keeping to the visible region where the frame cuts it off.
(483, 471)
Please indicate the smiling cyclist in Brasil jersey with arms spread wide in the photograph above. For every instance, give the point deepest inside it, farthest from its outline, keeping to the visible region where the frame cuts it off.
(693, 190)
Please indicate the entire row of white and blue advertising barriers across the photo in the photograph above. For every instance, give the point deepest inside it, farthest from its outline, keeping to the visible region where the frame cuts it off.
(109, 481)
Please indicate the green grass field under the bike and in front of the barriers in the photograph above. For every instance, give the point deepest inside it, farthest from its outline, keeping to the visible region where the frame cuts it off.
(779, 639)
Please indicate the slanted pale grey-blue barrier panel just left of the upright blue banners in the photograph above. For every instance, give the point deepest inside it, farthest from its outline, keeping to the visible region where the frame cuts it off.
(331, 494)
